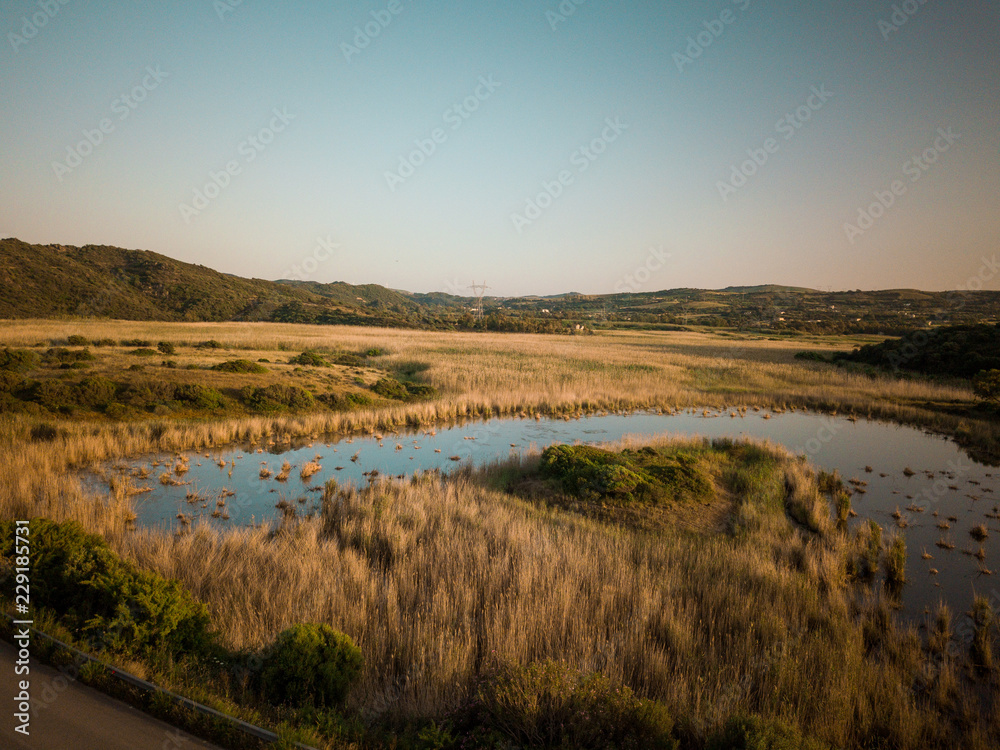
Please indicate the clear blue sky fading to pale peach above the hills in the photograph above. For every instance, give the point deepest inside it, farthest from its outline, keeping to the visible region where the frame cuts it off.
(539, 147)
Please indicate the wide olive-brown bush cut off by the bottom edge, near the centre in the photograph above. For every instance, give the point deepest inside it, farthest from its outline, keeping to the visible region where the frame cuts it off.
(551, 704)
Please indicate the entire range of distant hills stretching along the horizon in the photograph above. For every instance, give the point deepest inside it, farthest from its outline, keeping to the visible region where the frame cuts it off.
(48, 281)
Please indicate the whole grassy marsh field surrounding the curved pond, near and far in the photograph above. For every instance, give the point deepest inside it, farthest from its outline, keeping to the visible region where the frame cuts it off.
(453, 588)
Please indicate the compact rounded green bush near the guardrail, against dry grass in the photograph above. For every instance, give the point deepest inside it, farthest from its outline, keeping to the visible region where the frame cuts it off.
(310, 665)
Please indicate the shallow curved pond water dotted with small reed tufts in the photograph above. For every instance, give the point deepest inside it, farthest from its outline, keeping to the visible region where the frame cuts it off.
(946, 481)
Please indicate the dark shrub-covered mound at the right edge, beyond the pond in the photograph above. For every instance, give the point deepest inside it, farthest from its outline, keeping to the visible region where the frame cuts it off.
(957, 351)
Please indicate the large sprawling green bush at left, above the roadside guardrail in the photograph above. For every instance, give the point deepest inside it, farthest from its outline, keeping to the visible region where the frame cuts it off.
(104, 600)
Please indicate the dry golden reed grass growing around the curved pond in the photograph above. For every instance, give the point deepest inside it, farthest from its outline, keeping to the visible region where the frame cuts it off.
(437, 579)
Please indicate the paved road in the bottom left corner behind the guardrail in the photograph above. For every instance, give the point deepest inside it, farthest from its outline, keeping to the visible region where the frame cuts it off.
(70, 716)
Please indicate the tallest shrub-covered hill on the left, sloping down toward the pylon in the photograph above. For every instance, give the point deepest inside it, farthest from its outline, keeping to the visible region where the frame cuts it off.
(98, 280)
